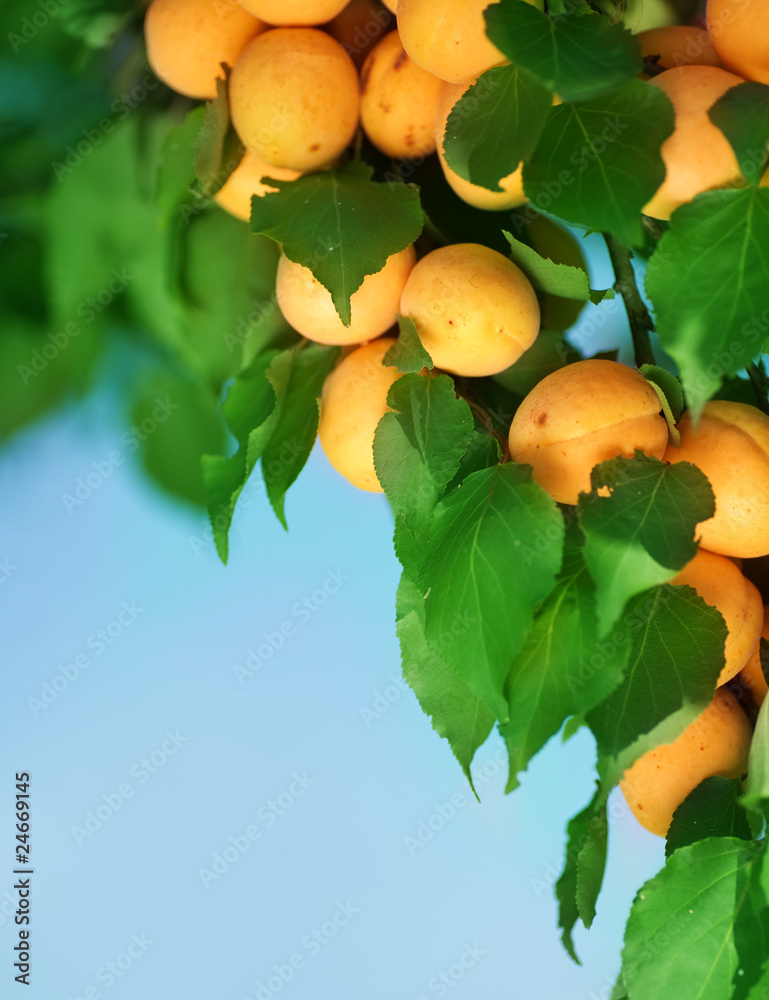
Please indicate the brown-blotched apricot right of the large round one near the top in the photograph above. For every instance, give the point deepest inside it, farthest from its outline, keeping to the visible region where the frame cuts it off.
(398, 101)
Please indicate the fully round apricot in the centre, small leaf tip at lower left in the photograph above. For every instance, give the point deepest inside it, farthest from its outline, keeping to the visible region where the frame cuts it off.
(475, 310)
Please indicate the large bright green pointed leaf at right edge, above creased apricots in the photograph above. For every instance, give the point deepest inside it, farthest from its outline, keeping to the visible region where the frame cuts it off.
(715, 329)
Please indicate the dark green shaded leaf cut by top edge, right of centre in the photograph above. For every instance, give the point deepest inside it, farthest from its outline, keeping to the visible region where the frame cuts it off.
(578, 56)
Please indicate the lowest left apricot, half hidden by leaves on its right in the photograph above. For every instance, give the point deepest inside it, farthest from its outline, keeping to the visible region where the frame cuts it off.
(353, 402)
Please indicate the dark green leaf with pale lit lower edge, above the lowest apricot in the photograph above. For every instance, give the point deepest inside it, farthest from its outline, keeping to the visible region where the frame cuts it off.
(677, 652)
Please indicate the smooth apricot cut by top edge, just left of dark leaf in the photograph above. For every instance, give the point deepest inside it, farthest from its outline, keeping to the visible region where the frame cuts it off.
(448, 38)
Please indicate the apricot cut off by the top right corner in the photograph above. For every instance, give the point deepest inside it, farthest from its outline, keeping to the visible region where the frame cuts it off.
(740, 29)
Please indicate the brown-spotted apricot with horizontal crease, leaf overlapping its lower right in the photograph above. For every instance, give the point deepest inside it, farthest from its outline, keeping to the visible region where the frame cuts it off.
(583, 414)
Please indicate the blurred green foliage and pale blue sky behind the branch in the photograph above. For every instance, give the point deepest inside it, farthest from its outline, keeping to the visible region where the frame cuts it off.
(233, 793)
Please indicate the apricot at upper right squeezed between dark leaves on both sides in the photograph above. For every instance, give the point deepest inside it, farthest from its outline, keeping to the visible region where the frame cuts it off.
(697, 155)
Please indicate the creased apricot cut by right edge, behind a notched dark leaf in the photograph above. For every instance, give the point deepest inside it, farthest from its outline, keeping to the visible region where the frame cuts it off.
(731, 446)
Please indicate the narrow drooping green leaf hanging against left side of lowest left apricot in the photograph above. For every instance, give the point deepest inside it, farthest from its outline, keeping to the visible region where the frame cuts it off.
(297, 378)
